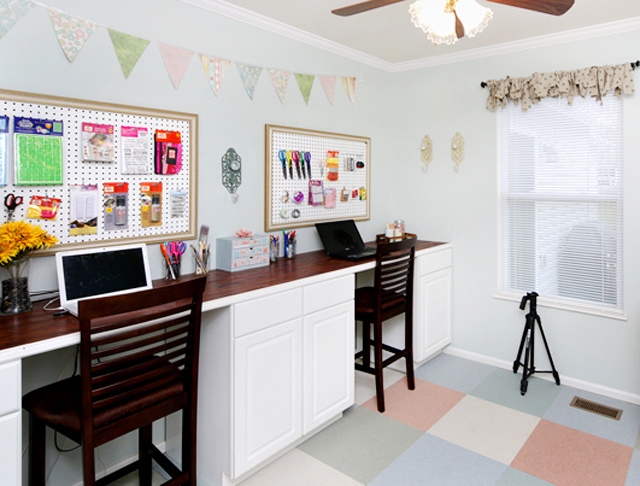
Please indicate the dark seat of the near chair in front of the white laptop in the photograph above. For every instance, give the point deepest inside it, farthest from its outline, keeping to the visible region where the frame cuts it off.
(59, 404)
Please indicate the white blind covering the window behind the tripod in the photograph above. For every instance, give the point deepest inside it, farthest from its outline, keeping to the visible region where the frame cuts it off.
(560, 198)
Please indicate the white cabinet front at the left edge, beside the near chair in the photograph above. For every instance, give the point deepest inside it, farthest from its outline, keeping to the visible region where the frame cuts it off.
(10, 423)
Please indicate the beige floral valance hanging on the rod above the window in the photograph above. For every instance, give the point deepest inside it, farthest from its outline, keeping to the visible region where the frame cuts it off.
(595, 81)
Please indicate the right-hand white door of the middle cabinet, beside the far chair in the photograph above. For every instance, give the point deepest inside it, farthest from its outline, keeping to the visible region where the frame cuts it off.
(328, 364)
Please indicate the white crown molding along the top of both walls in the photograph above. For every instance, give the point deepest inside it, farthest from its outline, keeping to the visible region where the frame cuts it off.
(251, 18)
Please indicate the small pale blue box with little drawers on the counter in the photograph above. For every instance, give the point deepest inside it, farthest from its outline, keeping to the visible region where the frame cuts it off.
(235, 254)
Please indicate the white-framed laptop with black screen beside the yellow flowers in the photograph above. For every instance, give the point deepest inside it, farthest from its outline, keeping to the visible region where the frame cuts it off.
(100, 272)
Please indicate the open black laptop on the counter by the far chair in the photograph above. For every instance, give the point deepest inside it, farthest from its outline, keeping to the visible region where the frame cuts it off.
(341, 239)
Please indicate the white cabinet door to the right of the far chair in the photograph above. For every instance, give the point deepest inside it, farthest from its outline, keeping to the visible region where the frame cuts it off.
(433, 314)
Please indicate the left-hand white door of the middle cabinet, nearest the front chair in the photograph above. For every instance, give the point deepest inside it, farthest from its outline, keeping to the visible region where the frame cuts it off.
(267, 393)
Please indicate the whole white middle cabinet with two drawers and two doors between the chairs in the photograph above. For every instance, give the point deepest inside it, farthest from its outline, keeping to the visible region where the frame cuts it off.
(292, 368)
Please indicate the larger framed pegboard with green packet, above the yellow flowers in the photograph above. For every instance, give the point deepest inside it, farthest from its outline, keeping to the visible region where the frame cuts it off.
(108, 173)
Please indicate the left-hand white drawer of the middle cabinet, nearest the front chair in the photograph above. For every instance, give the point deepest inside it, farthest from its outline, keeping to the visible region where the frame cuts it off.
(266, 311)
